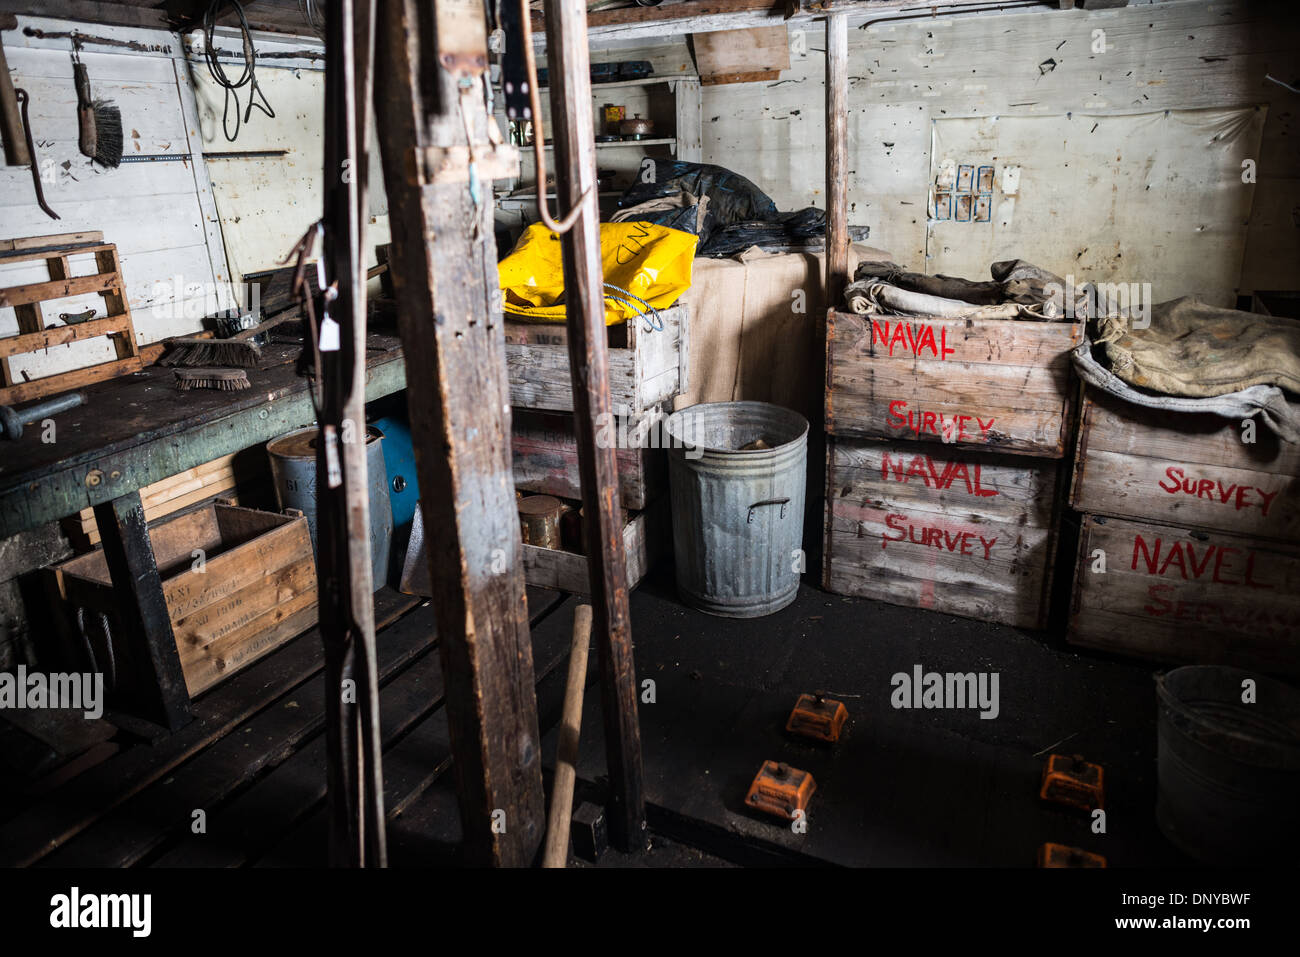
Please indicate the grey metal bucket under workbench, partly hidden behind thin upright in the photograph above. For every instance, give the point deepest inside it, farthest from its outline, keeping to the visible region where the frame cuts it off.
(293, 466)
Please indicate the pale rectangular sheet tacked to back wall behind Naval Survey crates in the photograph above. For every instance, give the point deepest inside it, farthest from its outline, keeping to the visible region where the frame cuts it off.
(1143, 198)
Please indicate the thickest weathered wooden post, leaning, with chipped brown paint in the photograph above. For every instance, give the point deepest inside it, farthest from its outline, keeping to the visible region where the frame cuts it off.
(444, 263)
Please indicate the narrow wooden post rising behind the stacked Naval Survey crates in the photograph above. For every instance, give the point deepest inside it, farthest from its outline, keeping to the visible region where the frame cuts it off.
(837, 158)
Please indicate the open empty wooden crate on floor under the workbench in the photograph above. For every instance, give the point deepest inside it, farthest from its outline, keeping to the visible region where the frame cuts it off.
(254, 591)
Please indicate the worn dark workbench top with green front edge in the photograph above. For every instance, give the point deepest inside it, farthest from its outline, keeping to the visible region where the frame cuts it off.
(138, 430)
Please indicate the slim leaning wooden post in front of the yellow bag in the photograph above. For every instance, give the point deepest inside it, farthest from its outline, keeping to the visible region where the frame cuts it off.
(584, 296)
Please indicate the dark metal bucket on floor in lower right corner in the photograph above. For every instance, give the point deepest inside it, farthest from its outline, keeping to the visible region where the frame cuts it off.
(1229, 772)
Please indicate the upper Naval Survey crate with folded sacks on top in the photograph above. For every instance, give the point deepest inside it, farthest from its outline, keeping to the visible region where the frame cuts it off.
(991, 384)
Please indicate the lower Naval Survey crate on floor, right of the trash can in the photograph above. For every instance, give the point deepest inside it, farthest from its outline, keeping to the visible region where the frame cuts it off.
(950, 530)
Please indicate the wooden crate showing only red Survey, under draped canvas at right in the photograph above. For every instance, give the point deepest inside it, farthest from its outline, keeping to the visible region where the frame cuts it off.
(1185, 470)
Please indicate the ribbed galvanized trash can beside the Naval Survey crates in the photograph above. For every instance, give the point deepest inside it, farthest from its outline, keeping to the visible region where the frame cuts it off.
(738, 516)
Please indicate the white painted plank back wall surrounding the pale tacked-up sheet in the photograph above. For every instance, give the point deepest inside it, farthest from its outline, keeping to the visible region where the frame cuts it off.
(905, 75)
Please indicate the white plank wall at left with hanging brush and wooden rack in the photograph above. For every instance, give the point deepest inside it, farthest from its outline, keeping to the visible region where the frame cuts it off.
(154, 213)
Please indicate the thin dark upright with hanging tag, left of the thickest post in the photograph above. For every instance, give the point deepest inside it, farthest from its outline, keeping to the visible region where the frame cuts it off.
(343, 492)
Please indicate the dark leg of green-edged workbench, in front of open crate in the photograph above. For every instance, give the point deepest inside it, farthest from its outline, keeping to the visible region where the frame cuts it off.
(154, 688)
